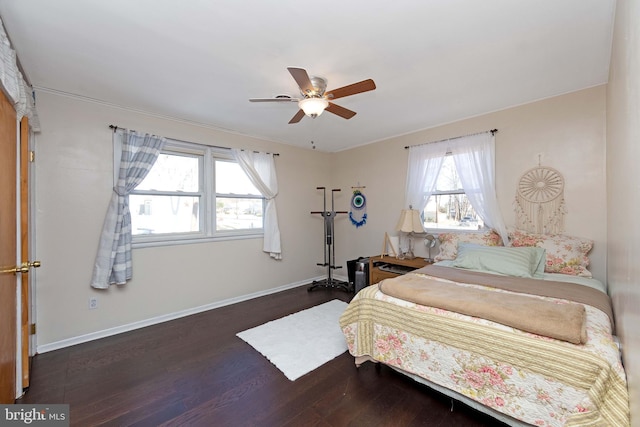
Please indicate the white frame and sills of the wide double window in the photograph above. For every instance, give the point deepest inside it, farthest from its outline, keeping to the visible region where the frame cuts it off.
(208, 156)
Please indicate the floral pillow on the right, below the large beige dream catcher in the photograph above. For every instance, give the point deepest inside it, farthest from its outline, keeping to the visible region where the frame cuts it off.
(565, 254)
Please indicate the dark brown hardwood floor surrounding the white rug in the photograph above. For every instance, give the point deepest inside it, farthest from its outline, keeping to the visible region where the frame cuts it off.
(195, 371)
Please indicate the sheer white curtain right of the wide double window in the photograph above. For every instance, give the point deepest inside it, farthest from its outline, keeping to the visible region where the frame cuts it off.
(261, 170)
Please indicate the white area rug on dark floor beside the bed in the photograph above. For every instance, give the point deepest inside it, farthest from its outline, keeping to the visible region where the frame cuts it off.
(301, 342)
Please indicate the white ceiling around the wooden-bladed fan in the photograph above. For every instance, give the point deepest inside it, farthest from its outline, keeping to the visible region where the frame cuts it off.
(433, 61)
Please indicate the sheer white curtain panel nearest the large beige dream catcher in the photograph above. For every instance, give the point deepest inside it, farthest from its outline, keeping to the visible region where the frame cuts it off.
(474, 157)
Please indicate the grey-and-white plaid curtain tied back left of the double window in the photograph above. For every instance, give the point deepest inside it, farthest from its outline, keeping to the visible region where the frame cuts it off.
(113, 261)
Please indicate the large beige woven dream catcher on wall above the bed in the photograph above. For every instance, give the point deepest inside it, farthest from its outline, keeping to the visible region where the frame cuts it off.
(539, 201)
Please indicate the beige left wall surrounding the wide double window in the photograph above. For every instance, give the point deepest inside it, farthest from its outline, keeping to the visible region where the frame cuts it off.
(73, 187)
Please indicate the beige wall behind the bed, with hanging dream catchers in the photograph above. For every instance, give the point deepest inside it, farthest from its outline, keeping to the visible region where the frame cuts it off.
(567, 131)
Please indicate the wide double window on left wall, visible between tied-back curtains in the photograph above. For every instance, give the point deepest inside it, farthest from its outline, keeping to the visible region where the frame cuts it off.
(195, 192)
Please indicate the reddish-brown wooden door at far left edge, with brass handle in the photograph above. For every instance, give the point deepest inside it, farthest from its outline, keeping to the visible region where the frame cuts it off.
(8, 247)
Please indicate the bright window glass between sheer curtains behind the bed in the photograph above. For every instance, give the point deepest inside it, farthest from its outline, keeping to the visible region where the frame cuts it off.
(448, 207)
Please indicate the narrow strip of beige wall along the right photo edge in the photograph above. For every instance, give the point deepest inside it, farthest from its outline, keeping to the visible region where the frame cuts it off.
(623, 190)
